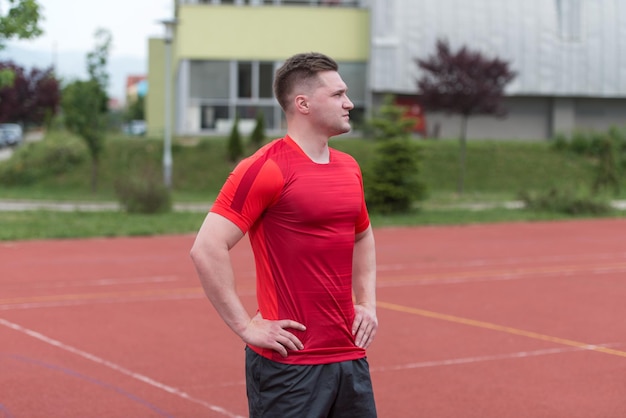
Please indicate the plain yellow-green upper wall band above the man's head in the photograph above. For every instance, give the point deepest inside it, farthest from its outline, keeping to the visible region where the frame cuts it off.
(271, 33)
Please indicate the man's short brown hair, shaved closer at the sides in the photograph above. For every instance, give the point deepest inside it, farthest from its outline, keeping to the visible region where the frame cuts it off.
(299, 69)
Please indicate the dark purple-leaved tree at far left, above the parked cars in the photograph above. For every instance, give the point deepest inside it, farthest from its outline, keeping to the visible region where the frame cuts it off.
(33, 97)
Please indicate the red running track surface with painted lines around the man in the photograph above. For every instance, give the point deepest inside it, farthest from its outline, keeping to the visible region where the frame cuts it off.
(488, 321)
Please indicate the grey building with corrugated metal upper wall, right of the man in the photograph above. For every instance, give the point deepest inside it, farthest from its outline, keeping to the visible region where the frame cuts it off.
(569, 55)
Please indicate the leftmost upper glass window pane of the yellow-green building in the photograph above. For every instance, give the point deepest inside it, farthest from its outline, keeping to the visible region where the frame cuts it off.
(209, 79)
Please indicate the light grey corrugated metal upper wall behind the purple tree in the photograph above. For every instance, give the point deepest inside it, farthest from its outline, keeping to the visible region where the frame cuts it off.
(558, 47)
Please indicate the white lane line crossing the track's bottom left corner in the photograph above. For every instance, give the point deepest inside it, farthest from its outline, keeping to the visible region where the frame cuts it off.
(116, 367)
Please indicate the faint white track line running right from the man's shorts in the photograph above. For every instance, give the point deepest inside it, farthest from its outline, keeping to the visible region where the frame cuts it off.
(480, 359)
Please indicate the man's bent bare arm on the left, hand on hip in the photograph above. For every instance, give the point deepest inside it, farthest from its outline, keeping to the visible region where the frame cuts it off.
(211, 256)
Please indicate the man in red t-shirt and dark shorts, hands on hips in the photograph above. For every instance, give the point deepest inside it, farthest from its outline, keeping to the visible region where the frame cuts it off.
(302, 205)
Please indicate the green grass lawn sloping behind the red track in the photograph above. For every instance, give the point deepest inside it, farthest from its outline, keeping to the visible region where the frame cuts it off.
(497, 171)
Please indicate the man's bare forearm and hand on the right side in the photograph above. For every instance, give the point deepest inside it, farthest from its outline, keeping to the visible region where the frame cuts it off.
(364, 286)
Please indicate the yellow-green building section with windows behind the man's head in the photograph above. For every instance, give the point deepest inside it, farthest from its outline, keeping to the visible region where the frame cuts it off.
(224, 54)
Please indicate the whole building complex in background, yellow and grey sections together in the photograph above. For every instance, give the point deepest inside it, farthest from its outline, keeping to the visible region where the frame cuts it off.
(568, 54)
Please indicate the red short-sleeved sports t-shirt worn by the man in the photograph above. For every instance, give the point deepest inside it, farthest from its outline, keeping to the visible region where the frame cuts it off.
(302, 218)
